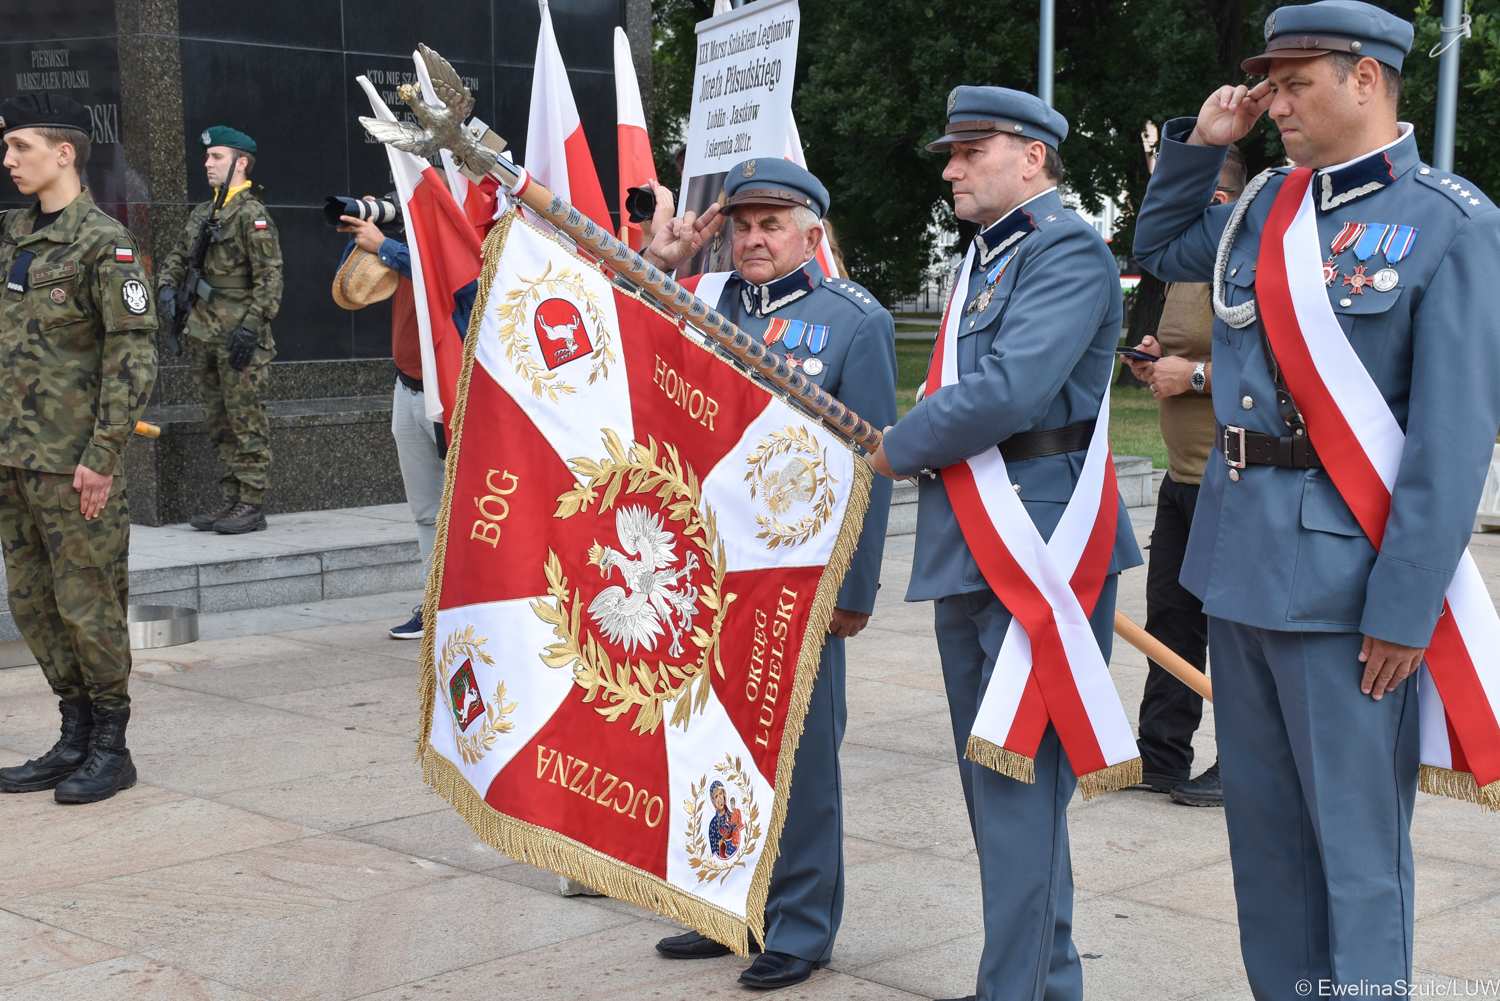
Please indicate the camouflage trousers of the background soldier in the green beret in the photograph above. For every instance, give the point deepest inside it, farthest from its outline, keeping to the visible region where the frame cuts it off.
(235, 410)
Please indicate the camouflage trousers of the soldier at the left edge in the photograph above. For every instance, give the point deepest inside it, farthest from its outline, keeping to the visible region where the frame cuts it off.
(70, 583)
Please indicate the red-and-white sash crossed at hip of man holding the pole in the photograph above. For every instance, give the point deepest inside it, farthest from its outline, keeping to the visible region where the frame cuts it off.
(1049, 669)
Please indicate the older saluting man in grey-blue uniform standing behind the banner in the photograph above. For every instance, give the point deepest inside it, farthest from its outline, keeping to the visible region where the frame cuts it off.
(845, 341)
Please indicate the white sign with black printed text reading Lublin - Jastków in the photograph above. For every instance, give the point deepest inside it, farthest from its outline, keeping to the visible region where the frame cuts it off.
(742, 106)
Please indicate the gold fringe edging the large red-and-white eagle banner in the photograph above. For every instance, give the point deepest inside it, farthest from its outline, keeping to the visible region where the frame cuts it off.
(562, 855)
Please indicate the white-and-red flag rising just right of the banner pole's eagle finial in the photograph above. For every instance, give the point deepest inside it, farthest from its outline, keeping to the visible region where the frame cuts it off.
(557, 152)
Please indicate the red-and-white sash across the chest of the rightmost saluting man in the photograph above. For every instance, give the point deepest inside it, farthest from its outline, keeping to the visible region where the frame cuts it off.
(1361, 443)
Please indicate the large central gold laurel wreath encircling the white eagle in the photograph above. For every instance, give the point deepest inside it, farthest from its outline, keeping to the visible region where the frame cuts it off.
(641, 469)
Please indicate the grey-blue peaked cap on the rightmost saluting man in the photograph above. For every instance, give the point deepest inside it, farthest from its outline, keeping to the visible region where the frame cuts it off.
(1333, 26)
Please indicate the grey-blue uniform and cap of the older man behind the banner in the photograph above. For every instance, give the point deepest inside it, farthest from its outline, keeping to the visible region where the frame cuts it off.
(845, 344)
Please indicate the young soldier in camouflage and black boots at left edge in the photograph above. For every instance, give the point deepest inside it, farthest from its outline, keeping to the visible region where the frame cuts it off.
(77, 364)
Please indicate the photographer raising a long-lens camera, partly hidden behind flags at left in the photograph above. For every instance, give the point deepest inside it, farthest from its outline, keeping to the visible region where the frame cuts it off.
(421, 443)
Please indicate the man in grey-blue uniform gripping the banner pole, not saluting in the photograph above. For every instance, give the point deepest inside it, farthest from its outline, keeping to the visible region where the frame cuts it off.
(1036, 353)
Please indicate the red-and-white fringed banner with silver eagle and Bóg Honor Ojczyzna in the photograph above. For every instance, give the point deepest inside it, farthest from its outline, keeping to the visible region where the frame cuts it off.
(637, 564)
